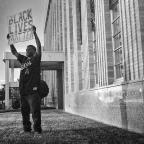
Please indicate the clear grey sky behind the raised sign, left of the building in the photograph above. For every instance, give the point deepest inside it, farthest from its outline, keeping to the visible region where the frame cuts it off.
(9, 8)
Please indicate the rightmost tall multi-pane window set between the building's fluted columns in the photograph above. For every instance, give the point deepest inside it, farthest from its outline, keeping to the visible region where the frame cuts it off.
(117, 40)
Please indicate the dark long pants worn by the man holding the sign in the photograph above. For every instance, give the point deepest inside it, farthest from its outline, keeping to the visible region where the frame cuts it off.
(31, 103)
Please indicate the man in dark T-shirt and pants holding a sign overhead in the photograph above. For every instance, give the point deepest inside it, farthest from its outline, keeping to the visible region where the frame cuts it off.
(29, 83)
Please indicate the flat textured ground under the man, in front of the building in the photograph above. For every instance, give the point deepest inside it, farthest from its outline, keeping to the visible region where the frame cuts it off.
(63, 128)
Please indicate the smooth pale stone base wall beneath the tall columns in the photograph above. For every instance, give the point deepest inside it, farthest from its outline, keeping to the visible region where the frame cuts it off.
(118, 105)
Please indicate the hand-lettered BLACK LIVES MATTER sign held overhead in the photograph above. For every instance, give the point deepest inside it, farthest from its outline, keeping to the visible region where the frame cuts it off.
(19, 26)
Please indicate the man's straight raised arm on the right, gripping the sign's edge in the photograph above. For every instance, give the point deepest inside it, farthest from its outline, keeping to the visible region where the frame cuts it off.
(38, 43)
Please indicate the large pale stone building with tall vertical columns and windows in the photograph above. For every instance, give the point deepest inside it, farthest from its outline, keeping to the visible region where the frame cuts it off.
(93, 59)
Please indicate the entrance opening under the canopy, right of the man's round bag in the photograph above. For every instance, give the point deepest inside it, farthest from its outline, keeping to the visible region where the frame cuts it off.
(54, 79)
